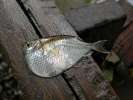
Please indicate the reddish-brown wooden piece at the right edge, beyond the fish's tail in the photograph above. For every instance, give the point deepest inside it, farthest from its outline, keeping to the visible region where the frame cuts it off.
(123, 45)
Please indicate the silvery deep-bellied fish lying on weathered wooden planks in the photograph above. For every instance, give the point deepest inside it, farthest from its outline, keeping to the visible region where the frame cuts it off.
(51, 56)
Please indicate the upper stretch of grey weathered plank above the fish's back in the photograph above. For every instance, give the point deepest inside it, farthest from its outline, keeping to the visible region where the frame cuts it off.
(56, 24)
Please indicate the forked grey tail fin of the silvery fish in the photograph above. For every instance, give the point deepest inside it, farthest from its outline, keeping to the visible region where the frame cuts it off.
(99, 47)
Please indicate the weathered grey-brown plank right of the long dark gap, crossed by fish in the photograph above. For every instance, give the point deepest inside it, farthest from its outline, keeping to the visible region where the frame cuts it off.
(49, 18)
